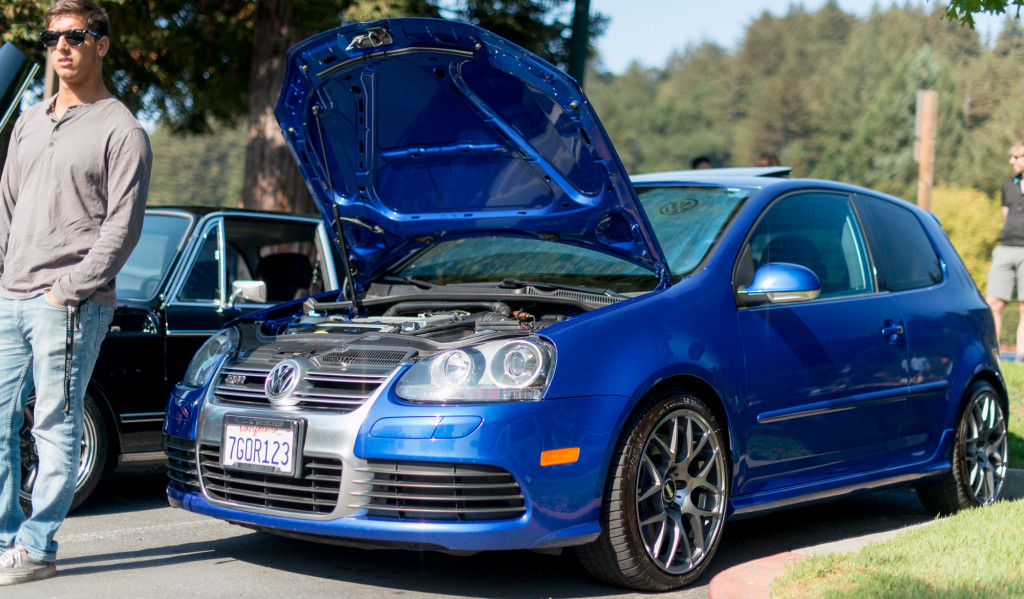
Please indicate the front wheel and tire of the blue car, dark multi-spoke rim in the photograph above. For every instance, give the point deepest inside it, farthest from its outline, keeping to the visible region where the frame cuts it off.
(658, 489)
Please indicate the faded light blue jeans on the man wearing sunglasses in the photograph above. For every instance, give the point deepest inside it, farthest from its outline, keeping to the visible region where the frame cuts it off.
(33, 335)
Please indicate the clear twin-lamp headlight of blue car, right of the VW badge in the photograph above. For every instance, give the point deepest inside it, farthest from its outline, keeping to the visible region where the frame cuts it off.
(499, 371)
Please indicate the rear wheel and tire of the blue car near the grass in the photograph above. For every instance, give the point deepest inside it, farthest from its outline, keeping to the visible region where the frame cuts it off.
(979, 458)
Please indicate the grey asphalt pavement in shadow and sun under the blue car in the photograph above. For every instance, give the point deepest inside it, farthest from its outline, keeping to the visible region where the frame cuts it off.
(126, 543)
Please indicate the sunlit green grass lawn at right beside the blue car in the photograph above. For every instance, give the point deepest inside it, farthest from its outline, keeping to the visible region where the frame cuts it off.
(975, 554)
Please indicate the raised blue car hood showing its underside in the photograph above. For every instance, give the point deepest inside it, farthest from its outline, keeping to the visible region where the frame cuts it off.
(413, 132)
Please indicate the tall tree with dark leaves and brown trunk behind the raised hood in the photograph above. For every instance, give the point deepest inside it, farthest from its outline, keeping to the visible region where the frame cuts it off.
(196, 65)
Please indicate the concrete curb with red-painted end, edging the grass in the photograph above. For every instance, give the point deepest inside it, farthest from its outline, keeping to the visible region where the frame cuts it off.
(752, 580)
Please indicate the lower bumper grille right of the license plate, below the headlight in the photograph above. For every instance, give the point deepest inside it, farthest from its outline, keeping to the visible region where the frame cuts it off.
(426, 491)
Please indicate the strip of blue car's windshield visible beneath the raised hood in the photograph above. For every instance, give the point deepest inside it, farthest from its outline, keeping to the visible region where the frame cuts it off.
(494, 260)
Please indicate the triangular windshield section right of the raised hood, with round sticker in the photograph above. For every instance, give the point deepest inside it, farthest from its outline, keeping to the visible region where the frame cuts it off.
(689, 220)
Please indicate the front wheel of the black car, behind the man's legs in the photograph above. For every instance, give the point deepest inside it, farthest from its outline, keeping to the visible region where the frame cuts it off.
(95, 450)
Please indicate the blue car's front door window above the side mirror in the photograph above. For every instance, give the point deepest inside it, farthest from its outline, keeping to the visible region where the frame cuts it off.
(819, 231)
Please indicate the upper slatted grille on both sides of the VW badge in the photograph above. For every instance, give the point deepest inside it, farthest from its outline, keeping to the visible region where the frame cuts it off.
(343, 381)
